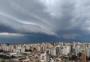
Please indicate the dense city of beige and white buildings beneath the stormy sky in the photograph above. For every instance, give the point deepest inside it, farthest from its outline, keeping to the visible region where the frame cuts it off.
(45, 52)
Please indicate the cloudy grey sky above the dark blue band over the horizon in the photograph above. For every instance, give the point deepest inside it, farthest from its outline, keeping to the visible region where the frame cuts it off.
(69, 19)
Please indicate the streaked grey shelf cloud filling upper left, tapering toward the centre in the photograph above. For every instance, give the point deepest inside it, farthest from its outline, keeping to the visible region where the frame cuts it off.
(24, 16)
